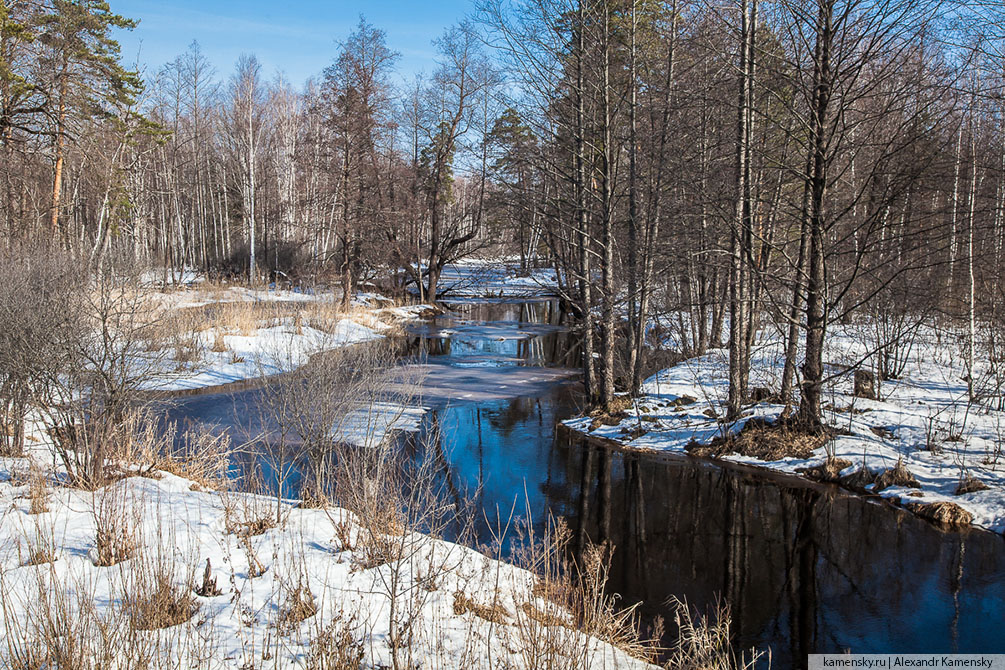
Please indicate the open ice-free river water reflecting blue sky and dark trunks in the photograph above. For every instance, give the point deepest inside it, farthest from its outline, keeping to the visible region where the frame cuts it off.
(805, 568)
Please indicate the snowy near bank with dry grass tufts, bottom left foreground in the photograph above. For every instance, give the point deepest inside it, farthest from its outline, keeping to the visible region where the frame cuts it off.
(316, 584)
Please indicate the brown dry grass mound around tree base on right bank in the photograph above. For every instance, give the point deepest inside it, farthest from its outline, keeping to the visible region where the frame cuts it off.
(765, 441)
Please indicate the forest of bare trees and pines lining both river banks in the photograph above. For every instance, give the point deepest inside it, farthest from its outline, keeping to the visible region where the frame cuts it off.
(731, 165)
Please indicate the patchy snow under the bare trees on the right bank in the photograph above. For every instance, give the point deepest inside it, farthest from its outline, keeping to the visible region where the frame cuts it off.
(924, 420)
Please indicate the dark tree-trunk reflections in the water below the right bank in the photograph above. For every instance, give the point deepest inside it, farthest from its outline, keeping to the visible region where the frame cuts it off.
(806, 569)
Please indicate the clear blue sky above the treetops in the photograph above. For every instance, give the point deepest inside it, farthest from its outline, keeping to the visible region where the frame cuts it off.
(297, 39)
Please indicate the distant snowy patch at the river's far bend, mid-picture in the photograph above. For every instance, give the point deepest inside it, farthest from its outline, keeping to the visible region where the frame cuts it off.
(495, 279)
